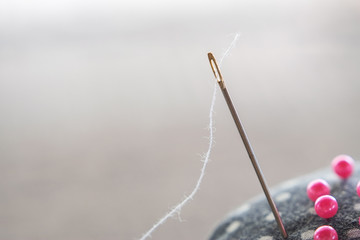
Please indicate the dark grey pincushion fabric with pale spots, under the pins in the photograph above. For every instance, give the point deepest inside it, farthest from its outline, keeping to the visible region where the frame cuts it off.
(255, 220)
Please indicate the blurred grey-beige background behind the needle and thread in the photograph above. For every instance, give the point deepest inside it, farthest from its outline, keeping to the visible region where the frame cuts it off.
(104, 109)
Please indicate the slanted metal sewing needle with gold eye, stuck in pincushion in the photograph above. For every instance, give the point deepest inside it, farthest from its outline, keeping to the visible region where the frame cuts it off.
(247, 144)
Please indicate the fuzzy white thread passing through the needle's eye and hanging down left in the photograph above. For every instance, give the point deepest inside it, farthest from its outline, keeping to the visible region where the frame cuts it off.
(178, 207)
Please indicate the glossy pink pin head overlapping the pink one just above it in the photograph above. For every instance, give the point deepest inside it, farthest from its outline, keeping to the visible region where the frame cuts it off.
(326, 206)
